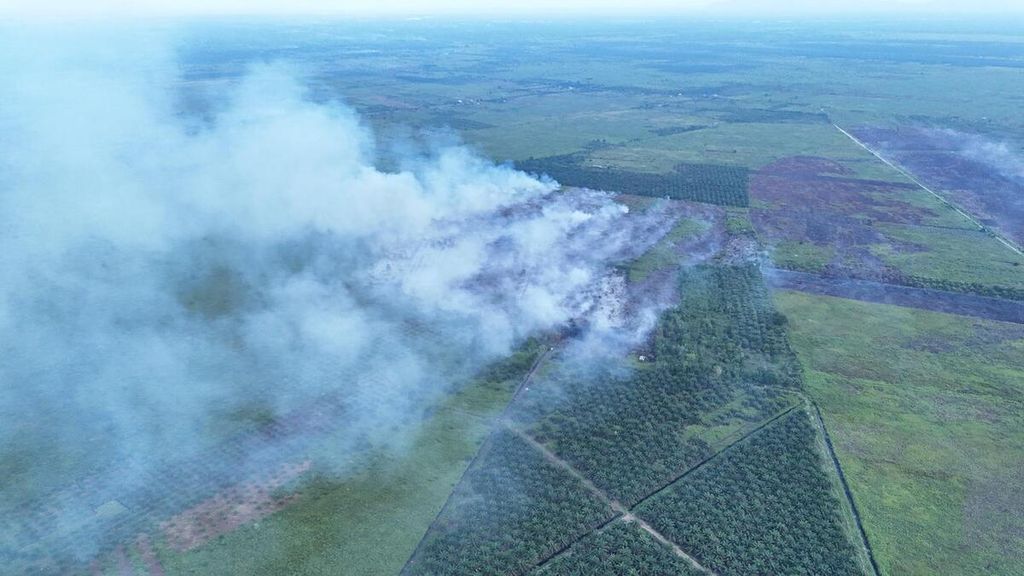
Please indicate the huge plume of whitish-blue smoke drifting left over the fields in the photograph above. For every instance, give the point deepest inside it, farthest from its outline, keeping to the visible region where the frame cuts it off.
(168, 285)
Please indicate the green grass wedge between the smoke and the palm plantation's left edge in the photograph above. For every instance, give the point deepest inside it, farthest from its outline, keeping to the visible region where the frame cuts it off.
(371, 520)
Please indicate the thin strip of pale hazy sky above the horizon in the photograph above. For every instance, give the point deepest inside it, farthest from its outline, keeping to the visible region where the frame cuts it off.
(106, 9)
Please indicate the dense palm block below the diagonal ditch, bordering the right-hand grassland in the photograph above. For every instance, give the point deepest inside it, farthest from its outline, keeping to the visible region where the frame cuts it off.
(763, 507)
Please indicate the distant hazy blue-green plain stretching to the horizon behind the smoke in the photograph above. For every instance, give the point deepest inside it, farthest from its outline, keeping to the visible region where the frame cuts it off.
(757, 93)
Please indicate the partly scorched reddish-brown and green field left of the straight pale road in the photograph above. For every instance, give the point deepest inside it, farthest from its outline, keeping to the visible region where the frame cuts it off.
(818, 218)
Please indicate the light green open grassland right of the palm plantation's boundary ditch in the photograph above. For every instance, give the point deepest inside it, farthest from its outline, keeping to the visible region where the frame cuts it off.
(925, 412)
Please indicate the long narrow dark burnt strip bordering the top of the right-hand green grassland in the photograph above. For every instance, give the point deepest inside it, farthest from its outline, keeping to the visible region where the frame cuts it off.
(878, 293)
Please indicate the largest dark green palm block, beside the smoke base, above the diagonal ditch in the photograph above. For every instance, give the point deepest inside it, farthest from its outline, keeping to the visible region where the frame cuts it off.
(719, 364)
